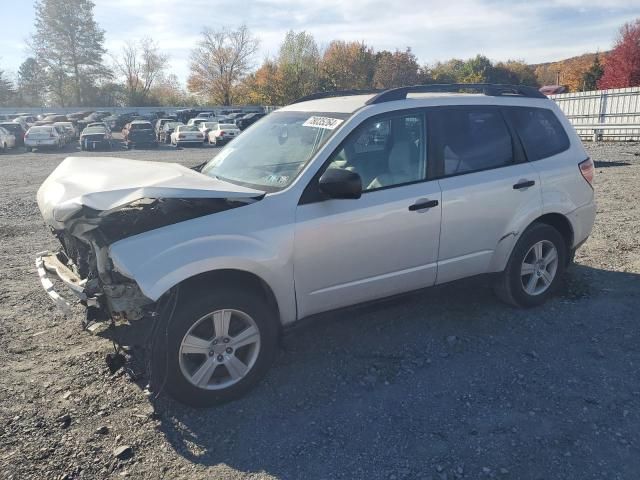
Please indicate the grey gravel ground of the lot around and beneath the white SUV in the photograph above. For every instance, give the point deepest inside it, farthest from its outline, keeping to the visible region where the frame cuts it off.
(427, 387)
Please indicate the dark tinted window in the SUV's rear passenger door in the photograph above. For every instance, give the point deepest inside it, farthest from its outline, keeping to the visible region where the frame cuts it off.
(472, 139)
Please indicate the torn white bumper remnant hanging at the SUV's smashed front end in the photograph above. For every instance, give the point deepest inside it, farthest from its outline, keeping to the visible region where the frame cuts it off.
(54, 263)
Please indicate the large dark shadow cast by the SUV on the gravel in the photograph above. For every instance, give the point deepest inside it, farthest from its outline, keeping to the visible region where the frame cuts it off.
(435, 380)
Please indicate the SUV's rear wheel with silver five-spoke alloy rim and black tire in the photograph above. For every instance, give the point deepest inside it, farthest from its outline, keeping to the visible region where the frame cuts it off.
(533, 249)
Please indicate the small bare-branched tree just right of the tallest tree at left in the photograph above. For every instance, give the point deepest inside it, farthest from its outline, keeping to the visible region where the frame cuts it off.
(140, 64)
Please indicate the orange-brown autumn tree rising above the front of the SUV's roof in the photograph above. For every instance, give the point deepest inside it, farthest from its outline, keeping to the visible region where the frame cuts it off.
(347, 65)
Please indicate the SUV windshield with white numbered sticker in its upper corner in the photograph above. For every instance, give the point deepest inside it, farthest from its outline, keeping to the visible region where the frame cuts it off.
(271, 154)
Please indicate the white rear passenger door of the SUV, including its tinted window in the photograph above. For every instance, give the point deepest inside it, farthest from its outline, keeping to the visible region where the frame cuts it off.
(486, 184)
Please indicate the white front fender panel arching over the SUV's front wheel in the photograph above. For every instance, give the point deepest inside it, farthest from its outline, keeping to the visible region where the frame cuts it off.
(160, 259)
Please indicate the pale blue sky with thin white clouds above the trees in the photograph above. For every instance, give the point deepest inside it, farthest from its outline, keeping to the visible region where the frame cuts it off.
(535, 31)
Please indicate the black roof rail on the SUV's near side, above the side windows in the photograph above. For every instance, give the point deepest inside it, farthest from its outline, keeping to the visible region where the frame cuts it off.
(490, 89)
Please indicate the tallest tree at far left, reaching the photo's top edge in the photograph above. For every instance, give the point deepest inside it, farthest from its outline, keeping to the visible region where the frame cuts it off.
(68, 44)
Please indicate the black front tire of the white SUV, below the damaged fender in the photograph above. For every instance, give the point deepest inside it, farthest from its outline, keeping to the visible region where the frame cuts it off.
(192, 313)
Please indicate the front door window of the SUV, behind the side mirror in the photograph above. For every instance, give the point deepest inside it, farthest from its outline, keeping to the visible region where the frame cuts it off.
(385, 152)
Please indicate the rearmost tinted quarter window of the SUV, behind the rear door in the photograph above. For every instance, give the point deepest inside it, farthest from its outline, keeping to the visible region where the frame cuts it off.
(541, 132)
